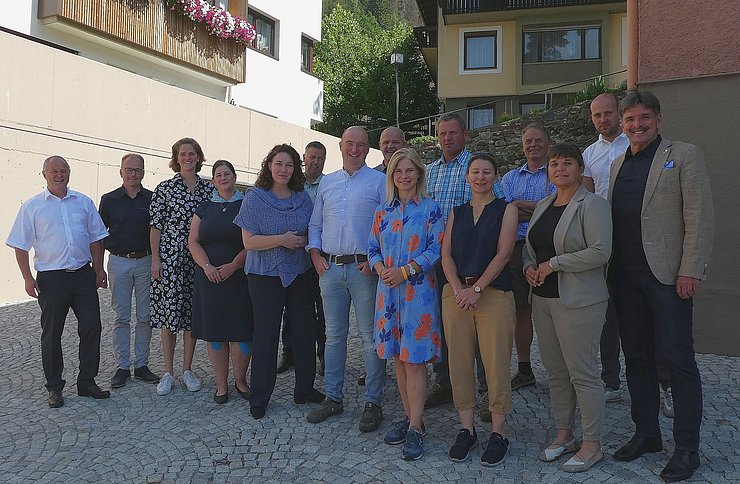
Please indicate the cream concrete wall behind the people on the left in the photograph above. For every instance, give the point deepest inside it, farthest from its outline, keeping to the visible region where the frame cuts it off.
(59, 103)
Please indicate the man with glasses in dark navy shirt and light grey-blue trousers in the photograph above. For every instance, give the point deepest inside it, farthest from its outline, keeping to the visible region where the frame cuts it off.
(125, 212)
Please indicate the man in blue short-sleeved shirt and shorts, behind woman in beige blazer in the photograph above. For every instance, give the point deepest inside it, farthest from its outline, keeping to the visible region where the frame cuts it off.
(524, 187)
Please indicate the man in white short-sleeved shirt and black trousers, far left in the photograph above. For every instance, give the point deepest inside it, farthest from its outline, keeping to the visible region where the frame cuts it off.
(66, 233)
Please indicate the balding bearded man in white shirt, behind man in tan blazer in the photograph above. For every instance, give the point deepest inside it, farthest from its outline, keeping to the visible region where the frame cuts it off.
(598, 157)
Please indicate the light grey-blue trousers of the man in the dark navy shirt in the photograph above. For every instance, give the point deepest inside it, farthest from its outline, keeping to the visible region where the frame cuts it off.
(127, 277)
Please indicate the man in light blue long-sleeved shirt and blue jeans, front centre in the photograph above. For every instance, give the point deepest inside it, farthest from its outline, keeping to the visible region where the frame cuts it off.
(337, 241)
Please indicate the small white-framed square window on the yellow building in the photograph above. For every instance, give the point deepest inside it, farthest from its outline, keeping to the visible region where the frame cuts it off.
(480, 50)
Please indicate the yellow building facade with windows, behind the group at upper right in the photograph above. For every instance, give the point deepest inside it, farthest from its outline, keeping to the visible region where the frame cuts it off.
(491, 57)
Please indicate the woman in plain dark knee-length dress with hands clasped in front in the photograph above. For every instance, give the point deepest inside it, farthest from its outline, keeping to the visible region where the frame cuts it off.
(222, 308)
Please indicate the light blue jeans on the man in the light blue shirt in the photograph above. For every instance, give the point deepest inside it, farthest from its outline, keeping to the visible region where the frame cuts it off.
(340, 286)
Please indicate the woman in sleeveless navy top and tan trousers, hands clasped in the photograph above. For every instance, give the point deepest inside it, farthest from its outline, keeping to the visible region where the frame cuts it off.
(478, 306)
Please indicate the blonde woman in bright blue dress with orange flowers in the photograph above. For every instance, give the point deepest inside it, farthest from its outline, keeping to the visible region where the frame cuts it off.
(404, 246)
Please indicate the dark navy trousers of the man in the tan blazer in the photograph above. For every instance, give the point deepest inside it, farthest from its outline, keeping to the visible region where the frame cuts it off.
(656, 324)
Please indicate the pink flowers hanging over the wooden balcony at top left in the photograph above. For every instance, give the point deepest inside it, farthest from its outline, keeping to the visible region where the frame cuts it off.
(218, 21)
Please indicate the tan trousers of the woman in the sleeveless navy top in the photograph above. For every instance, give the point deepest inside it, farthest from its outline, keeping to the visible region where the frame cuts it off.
(491, 326)
